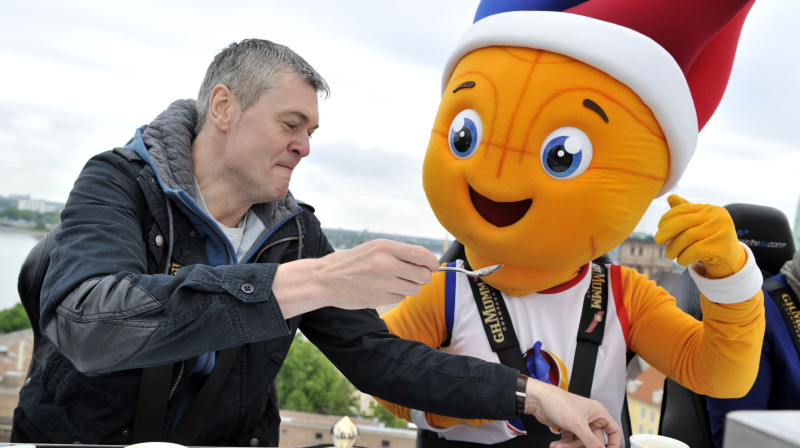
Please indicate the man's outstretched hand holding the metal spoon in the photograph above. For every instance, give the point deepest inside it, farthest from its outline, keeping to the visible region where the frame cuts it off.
(379, 272)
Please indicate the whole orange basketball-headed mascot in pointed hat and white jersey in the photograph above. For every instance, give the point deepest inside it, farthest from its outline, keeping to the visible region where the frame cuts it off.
(559, 123)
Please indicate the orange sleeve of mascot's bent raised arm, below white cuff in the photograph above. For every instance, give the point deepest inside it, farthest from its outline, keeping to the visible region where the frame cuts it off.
(718, 357)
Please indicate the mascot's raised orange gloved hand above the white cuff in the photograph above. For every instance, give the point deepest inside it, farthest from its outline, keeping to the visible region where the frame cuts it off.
(701, 233)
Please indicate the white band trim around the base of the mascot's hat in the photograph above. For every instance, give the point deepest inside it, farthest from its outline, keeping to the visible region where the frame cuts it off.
(630, 57)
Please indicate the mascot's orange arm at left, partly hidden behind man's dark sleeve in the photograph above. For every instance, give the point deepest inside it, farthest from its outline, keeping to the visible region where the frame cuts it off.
(421, 318)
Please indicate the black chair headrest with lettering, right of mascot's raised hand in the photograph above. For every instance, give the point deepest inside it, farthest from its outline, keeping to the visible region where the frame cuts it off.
(766, 231)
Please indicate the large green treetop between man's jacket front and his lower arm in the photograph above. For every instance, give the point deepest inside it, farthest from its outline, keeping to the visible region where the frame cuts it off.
(308, 382)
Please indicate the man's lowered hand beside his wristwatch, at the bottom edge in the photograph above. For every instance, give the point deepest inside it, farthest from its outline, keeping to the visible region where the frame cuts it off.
(583, 422)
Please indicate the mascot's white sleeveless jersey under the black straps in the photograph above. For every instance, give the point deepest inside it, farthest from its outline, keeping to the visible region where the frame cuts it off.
(551, 317)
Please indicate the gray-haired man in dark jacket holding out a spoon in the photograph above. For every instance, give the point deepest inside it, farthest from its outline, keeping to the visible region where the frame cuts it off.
(184, 267)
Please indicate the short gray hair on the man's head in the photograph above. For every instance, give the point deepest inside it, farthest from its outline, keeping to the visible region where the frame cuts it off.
(249, 68)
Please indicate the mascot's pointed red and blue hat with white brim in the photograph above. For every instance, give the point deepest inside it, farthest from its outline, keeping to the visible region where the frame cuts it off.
(675, 54)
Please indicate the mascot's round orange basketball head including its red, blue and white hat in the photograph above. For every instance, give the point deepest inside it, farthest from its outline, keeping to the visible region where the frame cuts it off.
(561, 121)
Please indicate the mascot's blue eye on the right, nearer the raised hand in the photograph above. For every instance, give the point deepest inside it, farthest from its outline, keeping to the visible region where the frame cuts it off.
(566, 153)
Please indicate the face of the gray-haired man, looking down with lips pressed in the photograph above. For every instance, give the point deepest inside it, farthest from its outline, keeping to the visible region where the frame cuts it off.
(267, 140)
